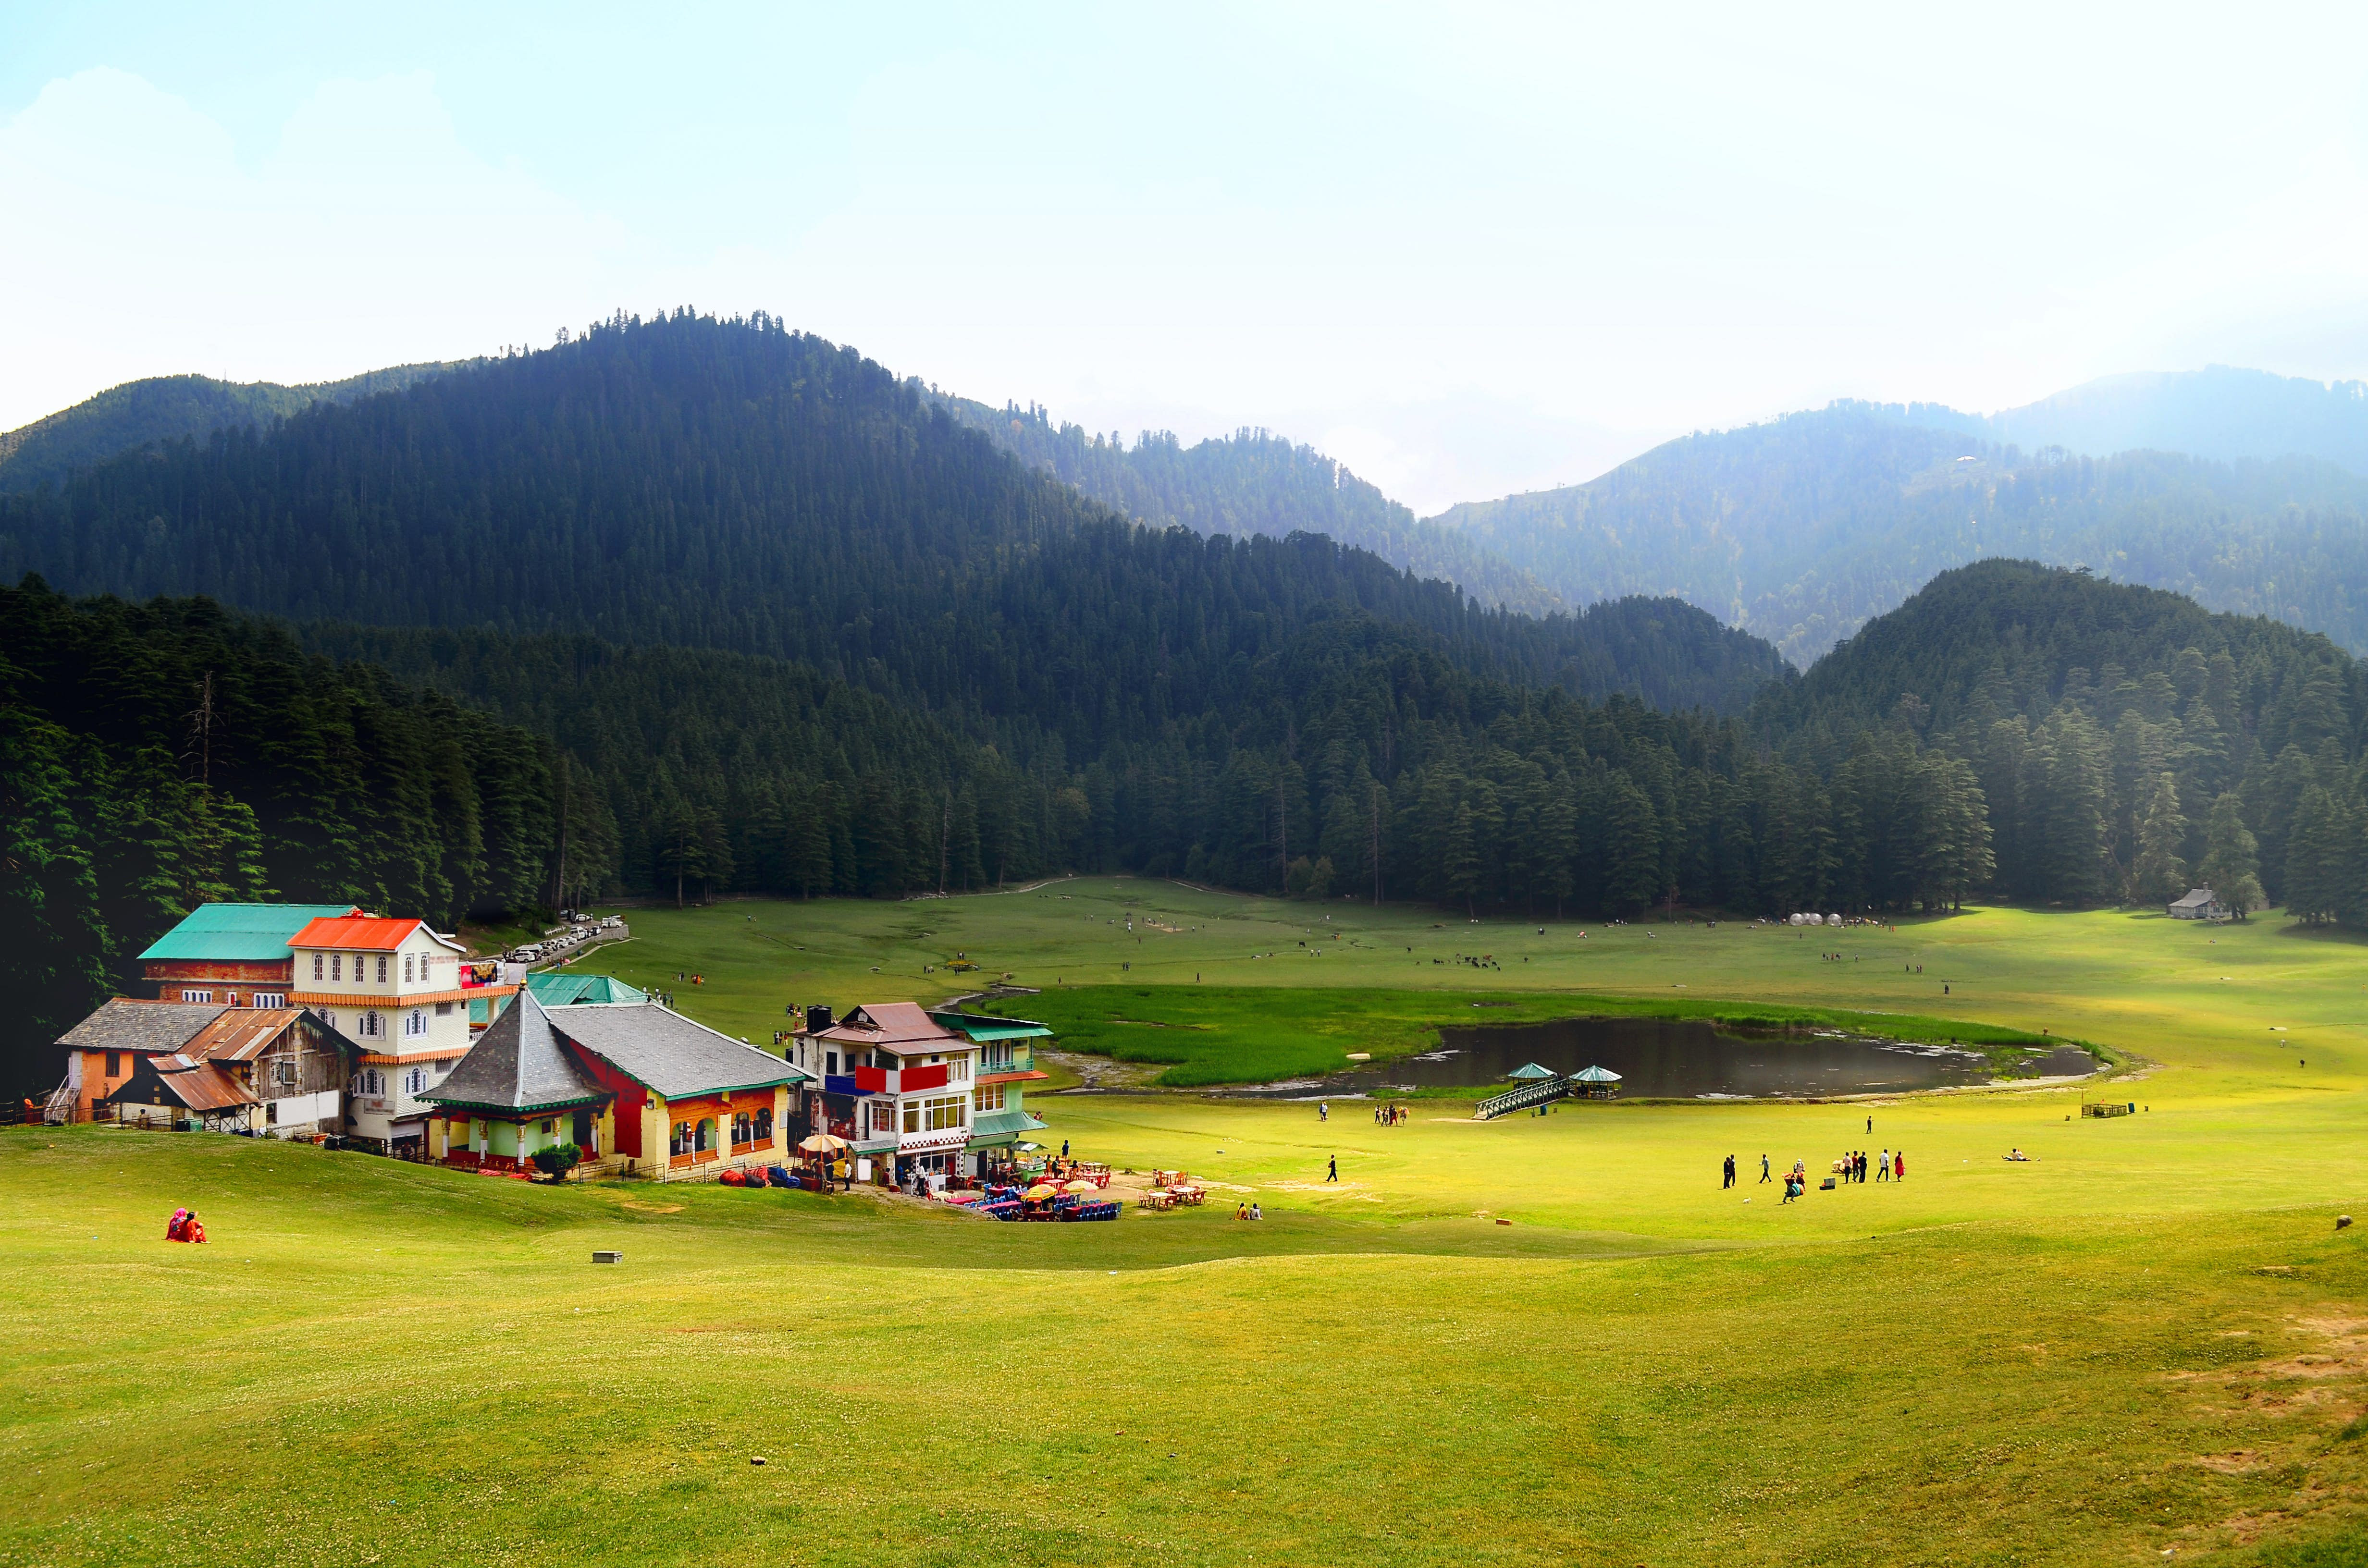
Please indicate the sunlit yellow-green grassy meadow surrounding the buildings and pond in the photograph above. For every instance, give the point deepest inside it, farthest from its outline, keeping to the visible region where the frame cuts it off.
(1524, 1342)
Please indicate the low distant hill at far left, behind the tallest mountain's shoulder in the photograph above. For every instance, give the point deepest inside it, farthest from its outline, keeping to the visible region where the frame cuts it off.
(169, 409)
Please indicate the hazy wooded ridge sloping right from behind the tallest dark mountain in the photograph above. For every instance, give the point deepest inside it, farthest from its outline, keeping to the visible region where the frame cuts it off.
(1251, 482)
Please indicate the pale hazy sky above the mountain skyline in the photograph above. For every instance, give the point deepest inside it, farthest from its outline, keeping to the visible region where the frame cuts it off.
(1469, 250)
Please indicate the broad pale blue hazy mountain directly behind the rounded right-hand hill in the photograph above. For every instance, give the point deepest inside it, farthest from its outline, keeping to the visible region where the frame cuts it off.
(1806, 527)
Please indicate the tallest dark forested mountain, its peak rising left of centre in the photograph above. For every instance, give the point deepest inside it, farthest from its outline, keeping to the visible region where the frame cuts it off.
(738, 487)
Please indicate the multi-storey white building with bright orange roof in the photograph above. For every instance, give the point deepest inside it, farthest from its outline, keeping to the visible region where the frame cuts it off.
(392, 989)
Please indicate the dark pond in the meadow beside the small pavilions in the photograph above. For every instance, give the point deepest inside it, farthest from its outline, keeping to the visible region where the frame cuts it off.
(1687, 1060)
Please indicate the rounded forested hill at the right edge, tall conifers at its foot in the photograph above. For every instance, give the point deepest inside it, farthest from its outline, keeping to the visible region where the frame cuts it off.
(2125, 740)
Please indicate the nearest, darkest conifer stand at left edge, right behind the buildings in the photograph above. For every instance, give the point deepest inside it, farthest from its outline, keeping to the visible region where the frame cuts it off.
(169, 754)
